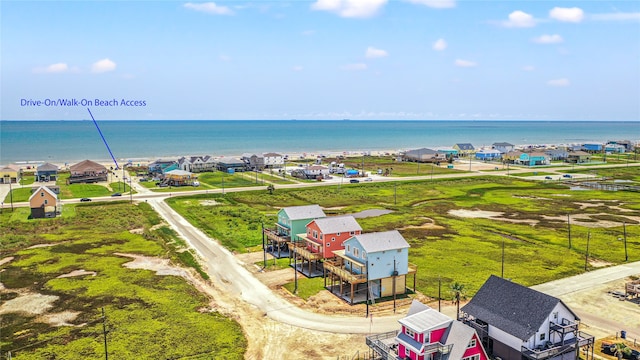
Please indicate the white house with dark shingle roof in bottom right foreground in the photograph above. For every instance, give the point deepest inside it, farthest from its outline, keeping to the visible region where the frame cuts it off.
(516, 322)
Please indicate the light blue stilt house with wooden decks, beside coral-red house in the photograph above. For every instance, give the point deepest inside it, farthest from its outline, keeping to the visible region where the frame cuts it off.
(374, 263)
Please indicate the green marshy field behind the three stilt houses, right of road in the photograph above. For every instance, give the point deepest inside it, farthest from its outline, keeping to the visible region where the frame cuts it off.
(467, 250)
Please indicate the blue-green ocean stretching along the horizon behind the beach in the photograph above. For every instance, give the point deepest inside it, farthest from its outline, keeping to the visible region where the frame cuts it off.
(70, 141)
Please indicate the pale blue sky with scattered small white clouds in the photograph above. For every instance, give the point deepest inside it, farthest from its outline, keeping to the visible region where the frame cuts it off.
(325, 59)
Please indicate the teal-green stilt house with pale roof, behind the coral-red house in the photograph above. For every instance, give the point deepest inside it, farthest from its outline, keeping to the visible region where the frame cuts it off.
(292, 221)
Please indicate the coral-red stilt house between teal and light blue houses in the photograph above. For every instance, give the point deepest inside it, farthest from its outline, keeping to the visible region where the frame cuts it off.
(323, 237)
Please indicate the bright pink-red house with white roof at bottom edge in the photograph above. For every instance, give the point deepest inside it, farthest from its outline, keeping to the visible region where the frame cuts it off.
(428, 334)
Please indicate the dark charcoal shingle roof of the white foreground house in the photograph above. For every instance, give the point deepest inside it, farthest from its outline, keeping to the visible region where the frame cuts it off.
(512, 308)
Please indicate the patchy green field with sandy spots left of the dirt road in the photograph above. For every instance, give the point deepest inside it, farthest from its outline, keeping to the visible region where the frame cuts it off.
(148, 316)
